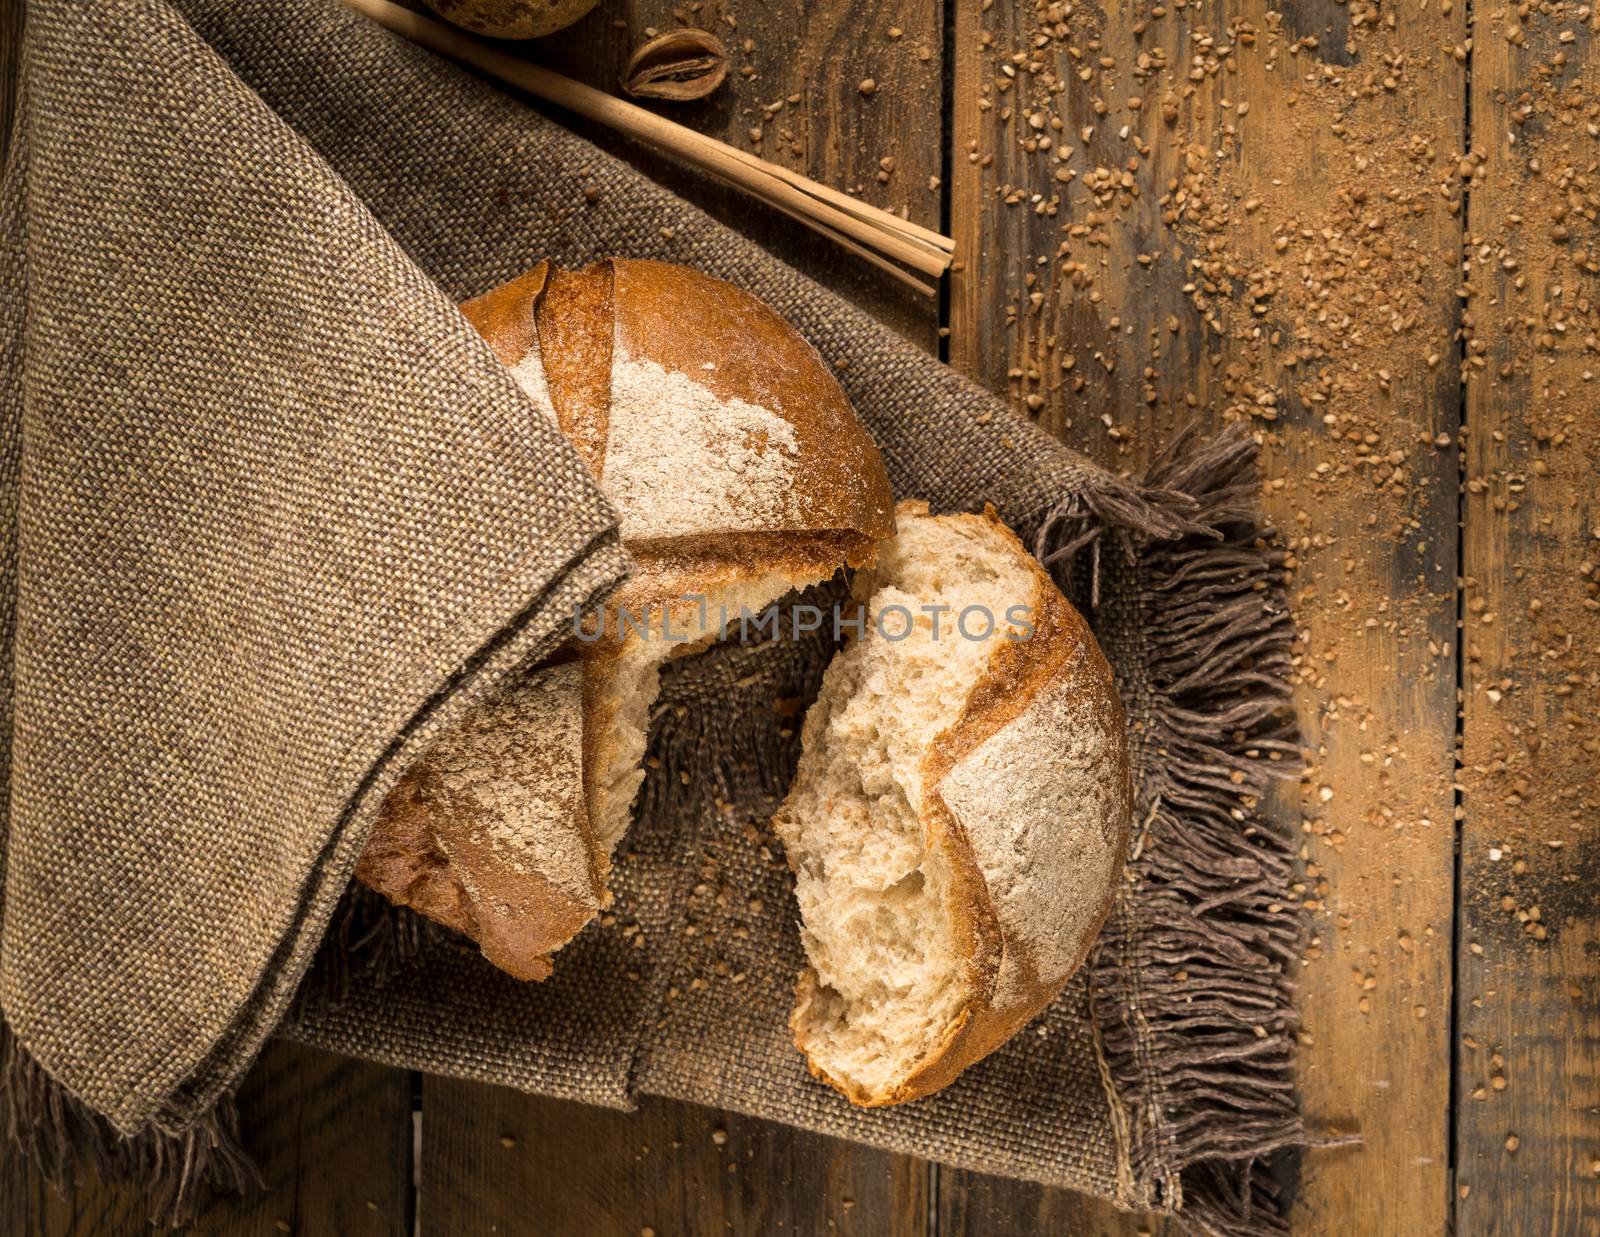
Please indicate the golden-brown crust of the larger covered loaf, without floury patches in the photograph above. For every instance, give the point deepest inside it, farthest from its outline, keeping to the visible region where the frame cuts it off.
(561, 332)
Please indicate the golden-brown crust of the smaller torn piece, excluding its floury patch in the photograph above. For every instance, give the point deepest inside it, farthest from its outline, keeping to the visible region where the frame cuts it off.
(1017, 675)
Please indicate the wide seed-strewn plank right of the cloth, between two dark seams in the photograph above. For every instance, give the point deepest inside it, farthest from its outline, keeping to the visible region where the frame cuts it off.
(1175, 212)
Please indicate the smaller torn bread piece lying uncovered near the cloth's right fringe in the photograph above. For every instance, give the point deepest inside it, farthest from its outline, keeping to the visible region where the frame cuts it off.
(961, 814)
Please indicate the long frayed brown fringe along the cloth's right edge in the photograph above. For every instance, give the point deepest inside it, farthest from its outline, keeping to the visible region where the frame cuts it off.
(1191, 990)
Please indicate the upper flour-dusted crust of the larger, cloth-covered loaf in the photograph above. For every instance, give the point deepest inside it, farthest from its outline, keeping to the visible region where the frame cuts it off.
(702, 412)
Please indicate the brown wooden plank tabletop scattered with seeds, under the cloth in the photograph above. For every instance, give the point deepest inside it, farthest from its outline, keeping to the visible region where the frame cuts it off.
(1370, 231)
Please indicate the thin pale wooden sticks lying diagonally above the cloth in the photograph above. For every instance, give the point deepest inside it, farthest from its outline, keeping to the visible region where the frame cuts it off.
(876, 234)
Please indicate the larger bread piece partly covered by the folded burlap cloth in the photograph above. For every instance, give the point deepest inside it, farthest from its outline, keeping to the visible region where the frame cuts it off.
(738, 471)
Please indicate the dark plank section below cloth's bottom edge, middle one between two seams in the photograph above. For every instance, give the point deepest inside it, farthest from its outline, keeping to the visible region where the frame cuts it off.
(495, 1161)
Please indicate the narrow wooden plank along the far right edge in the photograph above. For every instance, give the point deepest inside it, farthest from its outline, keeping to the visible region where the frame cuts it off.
(1529, 1081)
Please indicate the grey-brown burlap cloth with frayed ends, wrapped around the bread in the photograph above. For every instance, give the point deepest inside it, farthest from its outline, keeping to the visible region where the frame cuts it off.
(274, 518)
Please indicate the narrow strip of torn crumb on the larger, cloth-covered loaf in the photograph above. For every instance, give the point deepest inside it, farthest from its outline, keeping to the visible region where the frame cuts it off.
(625, 687)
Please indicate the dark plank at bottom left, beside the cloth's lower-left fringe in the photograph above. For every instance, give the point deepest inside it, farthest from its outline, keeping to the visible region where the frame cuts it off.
(334, 1142)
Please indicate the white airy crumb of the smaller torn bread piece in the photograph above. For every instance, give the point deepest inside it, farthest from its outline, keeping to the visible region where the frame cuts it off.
(874, 889)
